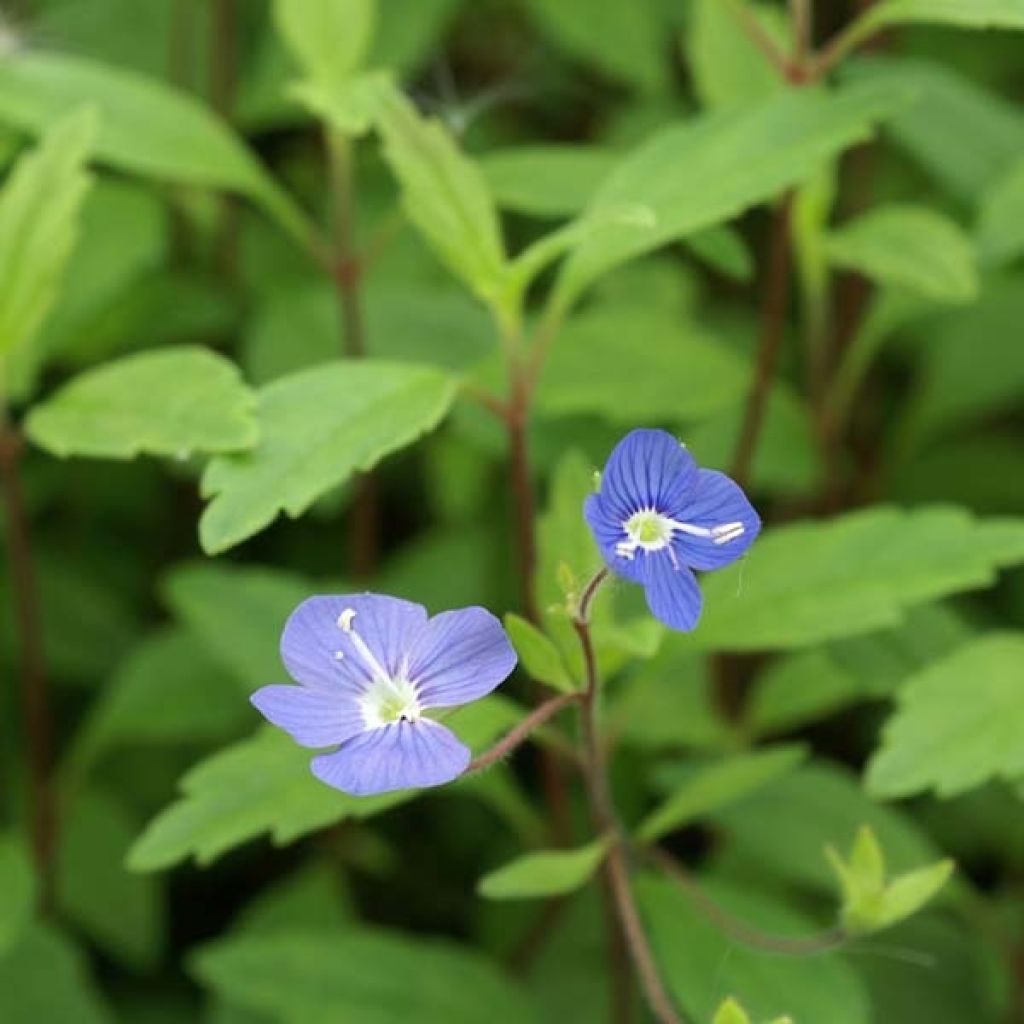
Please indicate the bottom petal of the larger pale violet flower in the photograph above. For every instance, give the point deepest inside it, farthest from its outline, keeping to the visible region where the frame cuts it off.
(403, 756)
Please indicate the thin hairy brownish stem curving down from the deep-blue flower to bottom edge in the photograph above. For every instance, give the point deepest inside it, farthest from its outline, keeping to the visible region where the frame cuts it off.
(616, 866)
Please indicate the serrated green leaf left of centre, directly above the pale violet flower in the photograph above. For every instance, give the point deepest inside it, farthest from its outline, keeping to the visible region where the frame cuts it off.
(318, 429)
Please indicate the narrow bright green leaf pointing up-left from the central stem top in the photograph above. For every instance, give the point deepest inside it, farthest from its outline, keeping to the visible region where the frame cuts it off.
(444, 193)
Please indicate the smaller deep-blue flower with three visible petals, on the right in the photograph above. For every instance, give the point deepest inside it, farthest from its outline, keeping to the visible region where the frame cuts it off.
(658, 517)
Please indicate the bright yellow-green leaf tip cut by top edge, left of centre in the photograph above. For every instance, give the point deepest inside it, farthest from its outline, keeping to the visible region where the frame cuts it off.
(330, 38)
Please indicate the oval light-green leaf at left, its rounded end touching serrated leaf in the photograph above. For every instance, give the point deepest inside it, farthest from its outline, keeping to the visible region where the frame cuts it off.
(173, 402)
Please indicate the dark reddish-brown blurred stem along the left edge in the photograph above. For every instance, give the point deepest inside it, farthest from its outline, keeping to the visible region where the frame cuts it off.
(35, 694)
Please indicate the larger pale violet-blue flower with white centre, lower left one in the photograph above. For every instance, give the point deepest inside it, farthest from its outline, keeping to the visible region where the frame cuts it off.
(369, 669)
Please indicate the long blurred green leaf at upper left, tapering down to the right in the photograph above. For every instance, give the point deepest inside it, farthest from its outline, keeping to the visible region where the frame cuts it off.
(147, 127)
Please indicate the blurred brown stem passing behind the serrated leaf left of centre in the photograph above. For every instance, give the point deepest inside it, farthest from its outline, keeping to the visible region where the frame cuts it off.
(348, 273)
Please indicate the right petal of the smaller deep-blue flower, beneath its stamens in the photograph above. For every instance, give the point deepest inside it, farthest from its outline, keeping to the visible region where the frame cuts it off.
(716, 500)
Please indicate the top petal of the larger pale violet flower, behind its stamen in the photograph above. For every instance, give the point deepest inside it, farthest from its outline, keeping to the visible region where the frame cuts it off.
(313, 638)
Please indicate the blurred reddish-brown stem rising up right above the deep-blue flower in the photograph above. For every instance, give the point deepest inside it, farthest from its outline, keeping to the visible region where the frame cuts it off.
(773, 329)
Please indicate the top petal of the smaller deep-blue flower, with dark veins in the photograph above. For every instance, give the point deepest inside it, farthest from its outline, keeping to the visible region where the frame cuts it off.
(648, 470)
